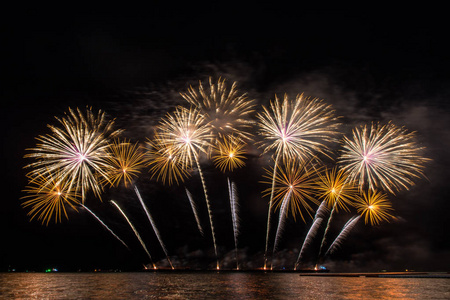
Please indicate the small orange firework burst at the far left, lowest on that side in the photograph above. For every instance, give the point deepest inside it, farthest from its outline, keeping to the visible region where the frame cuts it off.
(49, 197)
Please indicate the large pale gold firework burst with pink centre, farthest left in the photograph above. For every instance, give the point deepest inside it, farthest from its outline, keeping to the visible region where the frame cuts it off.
(77, 151)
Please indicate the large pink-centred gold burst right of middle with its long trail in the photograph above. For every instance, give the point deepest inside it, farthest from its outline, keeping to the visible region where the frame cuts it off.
(297, 129)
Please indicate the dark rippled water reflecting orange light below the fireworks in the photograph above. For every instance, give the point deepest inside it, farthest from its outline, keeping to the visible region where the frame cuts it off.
(215, 286)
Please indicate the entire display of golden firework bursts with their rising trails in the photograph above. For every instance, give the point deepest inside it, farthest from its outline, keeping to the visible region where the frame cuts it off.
(83, 155)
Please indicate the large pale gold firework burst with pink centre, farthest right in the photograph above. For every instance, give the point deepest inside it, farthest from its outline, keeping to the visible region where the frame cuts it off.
(382, 156)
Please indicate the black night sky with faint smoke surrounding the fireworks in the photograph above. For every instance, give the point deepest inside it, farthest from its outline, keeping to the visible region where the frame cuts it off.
(131, 62)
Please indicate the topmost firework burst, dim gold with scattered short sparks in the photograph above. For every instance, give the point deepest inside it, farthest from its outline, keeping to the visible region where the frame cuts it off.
(226, 111)
